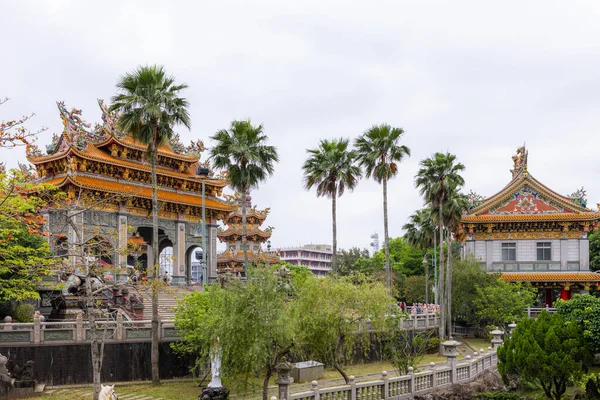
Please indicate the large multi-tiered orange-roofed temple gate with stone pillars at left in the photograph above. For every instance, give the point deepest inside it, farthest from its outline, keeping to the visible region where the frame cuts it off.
(107, 183)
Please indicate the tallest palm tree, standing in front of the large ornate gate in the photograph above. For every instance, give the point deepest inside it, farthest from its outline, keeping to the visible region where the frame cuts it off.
(150, 105)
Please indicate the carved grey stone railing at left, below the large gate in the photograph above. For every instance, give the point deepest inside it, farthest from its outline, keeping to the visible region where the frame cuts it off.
(78, 331)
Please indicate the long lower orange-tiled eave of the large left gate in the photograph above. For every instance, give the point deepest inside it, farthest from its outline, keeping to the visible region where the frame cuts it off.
(119, 188)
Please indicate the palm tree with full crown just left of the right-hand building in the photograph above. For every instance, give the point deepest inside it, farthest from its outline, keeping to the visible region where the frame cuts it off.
(437, 178)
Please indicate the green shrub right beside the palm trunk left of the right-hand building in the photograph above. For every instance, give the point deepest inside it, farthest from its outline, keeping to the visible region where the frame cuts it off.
(468, 276)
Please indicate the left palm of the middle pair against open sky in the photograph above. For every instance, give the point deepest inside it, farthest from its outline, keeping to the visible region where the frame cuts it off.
(332, 169)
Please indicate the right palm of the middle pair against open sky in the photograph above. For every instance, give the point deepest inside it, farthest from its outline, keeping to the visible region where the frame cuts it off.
(379, 154)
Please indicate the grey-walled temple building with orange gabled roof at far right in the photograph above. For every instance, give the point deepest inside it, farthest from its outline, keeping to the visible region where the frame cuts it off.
(529, 233)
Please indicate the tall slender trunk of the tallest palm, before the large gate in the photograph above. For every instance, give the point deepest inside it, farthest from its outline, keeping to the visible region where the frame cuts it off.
(155, 263)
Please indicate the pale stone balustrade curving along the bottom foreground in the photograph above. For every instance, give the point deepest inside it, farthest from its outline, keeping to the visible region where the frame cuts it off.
(399, 387)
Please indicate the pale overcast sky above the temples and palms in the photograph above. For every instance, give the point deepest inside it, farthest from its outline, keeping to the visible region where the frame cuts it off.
(470, 77)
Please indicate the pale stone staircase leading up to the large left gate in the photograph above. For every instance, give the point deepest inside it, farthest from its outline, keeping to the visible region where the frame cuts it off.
(168, 298)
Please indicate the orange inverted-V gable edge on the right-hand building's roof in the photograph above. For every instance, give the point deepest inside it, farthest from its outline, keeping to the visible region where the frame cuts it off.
(515, 184)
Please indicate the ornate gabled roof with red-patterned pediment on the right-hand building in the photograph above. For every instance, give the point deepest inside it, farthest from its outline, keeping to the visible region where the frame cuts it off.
(525, 199)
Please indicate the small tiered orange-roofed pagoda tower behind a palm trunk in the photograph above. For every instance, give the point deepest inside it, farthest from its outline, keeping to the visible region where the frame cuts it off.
(232, 259)
